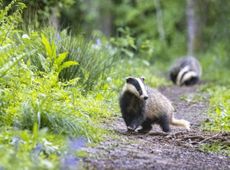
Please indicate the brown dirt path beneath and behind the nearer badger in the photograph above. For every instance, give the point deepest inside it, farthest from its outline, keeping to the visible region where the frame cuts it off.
(157, 150)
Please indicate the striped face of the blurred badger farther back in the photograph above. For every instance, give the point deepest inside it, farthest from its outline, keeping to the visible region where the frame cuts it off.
(186, 75)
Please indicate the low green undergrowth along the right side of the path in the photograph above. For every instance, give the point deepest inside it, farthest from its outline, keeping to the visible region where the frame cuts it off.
(216, 75)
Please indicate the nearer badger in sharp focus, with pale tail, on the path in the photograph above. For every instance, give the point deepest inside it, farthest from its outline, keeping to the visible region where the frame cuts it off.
(142, 105)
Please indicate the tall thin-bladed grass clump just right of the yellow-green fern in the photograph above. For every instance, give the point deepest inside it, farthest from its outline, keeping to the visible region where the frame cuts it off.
(95, 59)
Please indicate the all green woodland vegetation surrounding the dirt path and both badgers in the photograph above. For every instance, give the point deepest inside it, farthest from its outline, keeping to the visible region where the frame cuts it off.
(62, 64)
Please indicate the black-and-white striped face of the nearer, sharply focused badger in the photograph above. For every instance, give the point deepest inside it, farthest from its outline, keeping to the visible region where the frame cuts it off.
(137, 87)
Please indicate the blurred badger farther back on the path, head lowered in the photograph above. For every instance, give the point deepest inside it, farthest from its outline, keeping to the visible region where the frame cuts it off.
(185, 71)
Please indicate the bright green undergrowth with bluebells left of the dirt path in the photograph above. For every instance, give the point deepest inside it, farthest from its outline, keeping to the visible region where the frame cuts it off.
(40, 109)
